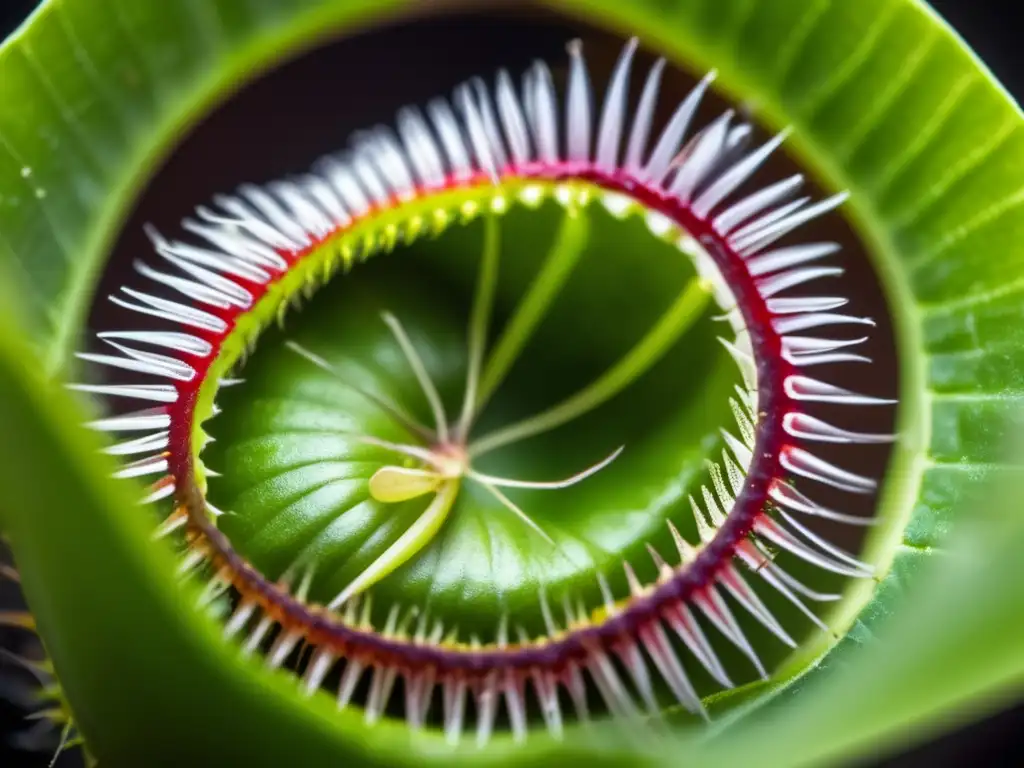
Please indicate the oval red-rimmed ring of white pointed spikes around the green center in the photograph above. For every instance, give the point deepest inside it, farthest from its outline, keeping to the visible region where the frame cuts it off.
(505, 145)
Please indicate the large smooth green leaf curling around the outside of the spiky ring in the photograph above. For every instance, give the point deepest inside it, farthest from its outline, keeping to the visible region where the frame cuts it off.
(885, 102)
